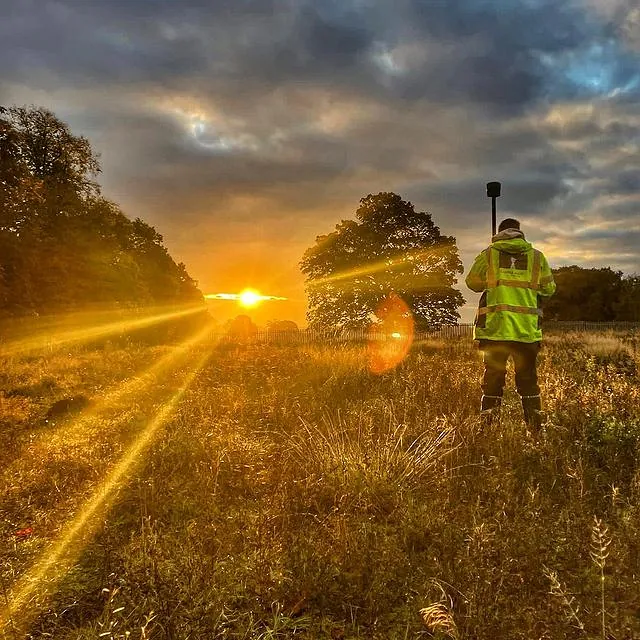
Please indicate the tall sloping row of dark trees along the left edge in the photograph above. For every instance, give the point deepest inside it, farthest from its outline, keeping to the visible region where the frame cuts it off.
(62, 245)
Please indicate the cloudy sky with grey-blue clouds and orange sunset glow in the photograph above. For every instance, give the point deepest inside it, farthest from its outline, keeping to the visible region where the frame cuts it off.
(242, 129)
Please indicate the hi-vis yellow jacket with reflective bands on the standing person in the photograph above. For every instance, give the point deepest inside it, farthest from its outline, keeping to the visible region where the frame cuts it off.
(512, 277)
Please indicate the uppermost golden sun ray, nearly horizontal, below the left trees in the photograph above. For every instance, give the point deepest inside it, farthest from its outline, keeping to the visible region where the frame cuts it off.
(51, 337)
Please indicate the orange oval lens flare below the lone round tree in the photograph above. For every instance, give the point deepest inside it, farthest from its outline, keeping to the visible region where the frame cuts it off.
(390, 339)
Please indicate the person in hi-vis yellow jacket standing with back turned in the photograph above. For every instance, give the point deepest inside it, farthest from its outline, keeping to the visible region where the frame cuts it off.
(513, 277)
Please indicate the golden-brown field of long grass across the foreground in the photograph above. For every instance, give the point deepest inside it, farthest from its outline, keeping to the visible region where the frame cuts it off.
(261, 491)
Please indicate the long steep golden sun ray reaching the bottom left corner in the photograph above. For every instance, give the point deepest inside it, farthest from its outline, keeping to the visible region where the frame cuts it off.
(26, 598)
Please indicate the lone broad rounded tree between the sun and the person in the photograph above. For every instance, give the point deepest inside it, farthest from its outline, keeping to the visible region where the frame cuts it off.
(389, 248)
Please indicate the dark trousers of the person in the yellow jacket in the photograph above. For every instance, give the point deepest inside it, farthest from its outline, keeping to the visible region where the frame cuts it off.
(496, 353)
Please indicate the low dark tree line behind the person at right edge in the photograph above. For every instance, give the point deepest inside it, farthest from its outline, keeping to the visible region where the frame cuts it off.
(594, 295)
